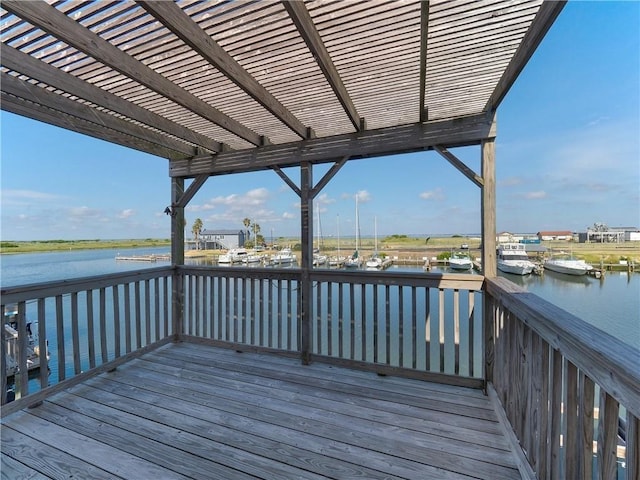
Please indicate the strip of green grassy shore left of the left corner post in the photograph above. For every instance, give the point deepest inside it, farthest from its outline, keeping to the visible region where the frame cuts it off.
(9, 247)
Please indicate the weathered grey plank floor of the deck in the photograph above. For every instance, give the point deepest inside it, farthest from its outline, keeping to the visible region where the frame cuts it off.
(194, 411)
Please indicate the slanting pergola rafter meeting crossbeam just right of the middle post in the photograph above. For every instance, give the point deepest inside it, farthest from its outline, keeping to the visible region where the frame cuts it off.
(307, 29)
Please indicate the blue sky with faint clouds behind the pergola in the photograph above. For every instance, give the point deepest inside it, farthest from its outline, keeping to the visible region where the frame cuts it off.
(568, 155)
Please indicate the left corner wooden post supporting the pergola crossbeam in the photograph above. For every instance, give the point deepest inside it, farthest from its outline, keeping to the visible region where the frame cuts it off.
(177, 257)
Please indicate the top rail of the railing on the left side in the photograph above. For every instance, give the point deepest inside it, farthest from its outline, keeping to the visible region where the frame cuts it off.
(56, 287)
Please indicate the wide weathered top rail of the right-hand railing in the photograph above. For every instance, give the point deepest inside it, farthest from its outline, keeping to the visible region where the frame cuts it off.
(609, 362)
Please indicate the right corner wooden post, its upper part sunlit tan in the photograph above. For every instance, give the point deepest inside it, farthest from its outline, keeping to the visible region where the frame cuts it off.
(489, 266)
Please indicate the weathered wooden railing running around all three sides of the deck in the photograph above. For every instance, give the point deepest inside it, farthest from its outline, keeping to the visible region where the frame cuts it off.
(570, 391)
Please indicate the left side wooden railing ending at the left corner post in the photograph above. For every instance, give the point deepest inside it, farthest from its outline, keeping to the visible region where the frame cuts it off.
(86, 325)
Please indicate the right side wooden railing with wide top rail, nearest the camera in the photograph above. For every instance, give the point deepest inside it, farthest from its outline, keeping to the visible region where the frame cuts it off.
(570, 391)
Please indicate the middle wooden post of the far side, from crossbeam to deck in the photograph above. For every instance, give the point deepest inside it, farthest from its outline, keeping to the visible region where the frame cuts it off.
(306, 290)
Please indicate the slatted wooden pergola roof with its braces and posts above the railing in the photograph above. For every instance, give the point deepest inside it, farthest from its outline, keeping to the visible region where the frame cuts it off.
(219, 87)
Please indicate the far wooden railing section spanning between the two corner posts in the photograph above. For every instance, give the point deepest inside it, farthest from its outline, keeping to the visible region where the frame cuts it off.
(392, 323)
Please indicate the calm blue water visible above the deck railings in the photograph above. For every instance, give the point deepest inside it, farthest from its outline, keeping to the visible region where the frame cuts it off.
(611, 304)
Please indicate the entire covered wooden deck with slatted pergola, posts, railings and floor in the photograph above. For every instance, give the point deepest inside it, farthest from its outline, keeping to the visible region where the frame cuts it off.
(298, 373)
